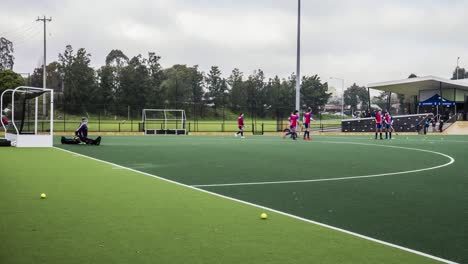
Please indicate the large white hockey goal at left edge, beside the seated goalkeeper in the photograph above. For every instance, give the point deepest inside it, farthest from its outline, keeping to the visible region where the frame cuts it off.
(31, 139)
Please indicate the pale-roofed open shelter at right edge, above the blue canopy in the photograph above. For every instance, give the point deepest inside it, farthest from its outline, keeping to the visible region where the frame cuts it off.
(424, 88)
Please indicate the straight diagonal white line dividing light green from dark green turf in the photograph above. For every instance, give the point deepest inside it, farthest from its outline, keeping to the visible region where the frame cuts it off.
(270, 209)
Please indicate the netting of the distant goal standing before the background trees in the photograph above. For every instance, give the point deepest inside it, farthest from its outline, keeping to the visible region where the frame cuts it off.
(163, 122)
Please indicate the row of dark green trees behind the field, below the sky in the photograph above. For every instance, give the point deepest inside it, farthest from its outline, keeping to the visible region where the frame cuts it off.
(141, 82)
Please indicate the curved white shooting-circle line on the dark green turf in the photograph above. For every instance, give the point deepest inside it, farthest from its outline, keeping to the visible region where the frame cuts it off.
(451, 161)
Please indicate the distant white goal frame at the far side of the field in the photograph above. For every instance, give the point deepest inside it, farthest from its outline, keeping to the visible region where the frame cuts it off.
(165, 128)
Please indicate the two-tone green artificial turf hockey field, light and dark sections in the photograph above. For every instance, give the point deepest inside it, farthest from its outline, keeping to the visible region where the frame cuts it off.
(409, 192)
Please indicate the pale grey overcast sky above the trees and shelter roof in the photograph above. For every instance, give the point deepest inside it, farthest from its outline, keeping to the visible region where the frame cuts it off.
(361, 41)
